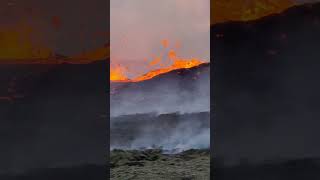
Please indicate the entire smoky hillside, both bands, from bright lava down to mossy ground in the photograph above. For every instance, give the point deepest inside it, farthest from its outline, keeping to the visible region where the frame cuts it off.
(170, 111)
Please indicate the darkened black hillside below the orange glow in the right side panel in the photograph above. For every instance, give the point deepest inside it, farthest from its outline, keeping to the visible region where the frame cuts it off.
(265, 84)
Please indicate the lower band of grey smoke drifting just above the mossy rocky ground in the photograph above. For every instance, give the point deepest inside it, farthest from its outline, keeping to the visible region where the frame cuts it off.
(185, 131)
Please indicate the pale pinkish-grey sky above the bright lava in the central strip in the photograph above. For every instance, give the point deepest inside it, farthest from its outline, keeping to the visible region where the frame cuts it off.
(139, 26)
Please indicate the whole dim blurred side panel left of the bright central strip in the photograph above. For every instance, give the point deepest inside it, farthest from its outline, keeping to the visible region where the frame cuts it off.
(54, 111)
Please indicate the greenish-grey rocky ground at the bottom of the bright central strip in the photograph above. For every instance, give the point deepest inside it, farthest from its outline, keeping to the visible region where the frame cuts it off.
(156, 165)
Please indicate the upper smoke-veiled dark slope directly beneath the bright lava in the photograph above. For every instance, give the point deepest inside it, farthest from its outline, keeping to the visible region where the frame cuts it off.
(166, 94)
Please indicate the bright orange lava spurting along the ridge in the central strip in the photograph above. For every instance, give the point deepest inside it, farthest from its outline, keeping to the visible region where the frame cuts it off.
(118, 73)
